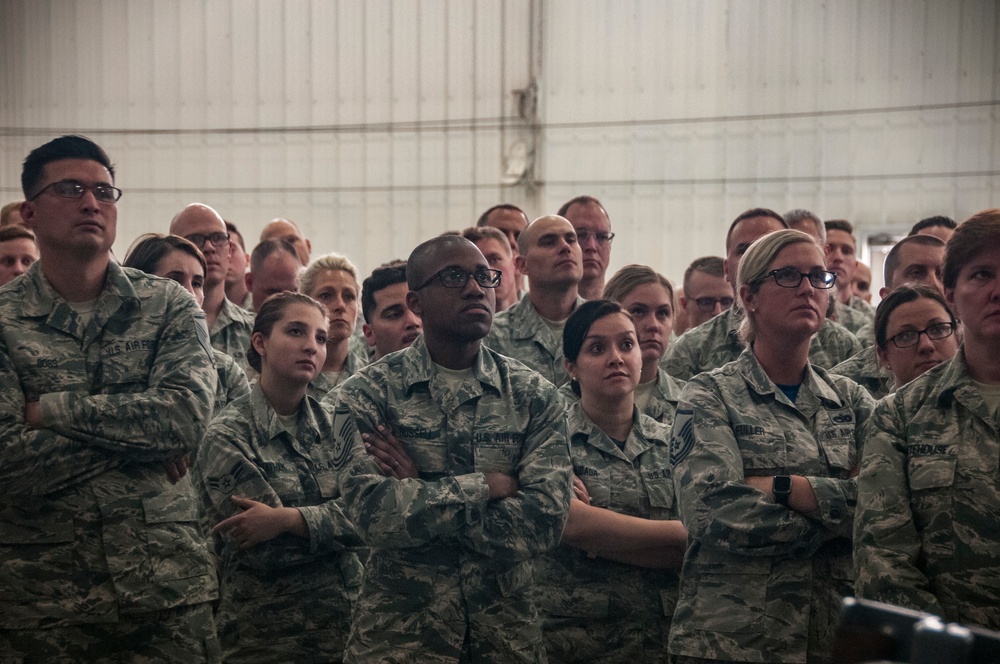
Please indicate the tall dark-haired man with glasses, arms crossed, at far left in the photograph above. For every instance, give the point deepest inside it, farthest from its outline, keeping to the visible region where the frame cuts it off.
(106, 385)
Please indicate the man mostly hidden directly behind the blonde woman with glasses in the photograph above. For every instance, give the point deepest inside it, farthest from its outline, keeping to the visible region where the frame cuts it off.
(717, 341)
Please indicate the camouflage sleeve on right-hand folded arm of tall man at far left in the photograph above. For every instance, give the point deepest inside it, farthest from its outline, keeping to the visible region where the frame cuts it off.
(165, 419)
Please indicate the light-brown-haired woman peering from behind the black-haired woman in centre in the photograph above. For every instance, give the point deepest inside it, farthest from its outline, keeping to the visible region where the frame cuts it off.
(648, 297)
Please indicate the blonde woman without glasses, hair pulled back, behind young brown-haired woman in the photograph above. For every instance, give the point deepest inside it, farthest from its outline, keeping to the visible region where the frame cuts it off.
(332, 280)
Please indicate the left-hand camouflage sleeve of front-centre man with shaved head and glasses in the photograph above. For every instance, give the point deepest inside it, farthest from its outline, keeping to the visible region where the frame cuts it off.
(387, 512)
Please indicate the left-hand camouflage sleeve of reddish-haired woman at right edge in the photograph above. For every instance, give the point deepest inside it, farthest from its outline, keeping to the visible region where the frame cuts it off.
(887, 545)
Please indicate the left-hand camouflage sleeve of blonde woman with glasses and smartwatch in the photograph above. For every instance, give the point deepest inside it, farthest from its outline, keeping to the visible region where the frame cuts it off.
(715, 504)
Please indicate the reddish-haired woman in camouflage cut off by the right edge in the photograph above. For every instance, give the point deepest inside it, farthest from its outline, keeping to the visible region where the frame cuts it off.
(929, 490)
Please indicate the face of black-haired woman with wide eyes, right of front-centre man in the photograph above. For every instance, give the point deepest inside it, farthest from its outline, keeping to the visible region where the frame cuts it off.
(609, 363)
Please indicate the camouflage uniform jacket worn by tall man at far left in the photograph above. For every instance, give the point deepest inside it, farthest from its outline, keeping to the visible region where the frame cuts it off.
(90, 526)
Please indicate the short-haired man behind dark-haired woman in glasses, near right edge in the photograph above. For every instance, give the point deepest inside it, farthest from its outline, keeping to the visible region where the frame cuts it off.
(916, 259)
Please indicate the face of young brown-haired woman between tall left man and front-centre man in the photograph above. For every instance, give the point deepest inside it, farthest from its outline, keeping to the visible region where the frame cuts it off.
(295, 350)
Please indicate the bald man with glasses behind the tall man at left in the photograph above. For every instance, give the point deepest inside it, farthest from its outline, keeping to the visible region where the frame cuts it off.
(228, 324)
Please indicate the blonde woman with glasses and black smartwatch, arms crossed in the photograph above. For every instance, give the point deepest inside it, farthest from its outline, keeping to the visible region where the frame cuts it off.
(764, 452)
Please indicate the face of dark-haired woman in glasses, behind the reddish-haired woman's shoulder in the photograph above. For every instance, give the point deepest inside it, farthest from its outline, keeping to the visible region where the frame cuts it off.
(916, 316)
